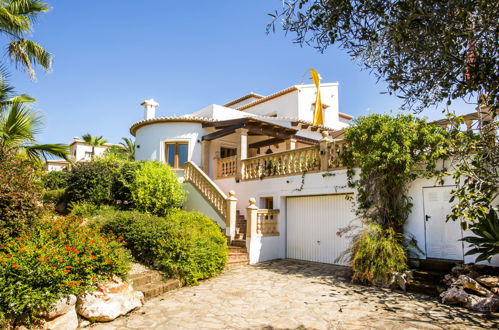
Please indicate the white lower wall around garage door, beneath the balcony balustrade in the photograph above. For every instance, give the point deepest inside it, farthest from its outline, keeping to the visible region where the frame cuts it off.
(268, 248)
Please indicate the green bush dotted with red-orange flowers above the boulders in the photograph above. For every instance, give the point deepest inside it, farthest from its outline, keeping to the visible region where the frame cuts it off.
(55, 258)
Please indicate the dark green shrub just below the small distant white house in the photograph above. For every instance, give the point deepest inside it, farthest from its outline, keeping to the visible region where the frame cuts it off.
(90, 182)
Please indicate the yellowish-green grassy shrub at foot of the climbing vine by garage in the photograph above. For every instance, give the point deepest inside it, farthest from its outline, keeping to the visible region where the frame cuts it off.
(377, 254)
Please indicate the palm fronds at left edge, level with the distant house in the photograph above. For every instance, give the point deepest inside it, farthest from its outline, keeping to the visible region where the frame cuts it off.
(18, 126)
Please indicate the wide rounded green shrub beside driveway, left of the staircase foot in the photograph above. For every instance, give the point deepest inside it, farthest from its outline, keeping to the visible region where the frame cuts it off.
(188, 246)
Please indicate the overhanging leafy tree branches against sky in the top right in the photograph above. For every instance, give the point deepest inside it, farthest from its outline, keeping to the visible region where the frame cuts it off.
(428, 51)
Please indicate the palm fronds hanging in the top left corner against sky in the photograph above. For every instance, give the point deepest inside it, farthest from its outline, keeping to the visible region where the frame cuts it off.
(16, 21)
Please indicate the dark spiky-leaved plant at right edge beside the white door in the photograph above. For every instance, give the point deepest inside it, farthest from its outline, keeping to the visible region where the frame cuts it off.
(486, 241)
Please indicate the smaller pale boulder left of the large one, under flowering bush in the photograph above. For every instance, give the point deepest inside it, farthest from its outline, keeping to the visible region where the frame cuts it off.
(62, 316)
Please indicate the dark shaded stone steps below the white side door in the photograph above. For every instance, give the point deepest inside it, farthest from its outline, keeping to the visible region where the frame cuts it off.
(428, 275)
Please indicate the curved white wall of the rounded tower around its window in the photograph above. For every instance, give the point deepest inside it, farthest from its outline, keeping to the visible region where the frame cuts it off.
(150, 140)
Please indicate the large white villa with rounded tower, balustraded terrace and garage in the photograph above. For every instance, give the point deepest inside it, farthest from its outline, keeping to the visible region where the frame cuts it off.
(274, 182)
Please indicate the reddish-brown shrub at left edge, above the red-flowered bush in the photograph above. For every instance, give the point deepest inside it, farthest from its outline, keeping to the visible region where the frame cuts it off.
(20, 195)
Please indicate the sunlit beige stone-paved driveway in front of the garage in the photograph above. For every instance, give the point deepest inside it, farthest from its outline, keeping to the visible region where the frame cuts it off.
(288, 294)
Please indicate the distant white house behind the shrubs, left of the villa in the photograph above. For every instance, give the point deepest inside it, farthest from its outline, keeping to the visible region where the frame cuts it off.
(79, 151)
